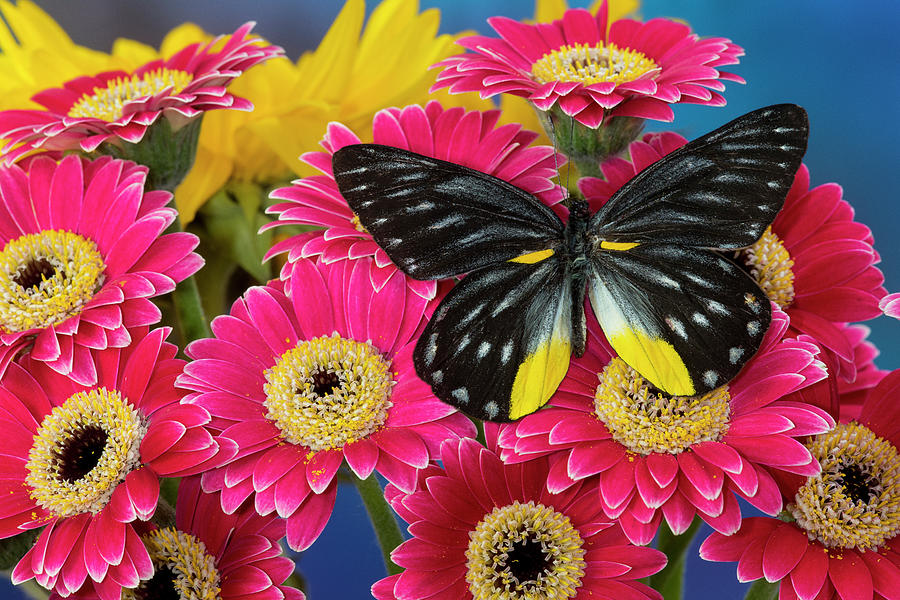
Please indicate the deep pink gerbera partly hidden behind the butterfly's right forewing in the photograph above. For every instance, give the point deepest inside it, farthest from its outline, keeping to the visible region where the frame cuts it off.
(815, 261)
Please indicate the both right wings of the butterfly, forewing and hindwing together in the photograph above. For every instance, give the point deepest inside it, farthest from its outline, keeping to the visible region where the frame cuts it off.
(684, 317)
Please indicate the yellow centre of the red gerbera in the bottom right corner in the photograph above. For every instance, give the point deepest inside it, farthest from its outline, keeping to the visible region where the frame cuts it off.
(855, 501)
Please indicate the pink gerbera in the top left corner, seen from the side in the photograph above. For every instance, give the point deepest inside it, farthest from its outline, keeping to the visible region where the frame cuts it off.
(117, 106)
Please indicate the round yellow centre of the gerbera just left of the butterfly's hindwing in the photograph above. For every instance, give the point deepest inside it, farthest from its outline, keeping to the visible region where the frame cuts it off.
(328, 392)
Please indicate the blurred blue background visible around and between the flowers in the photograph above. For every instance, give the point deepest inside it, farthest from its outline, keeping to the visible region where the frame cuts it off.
(837, 59)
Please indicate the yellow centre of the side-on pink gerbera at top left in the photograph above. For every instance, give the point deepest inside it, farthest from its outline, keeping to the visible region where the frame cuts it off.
(107, 103)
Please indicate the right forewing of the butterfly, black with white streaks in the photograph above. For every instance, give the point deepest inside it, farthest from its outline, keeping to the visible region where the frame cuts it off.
(719, 191)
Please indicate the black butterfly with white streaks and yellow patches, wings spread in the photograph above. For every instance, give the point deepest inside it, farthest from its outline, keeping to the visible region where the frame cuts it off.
(674, 308)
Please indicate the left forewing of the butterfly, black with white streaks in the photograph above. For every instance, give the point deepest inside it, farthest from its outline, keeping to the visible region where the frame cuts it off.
(437, 219)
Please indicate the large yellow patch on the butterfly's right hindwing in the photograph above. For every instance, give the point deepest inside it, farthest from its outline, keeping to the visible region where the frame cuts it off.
(655, 359)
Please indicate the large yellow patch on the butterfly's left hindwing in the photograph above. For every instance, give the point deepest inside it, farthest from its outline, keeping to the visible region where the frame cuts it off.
(539, 375)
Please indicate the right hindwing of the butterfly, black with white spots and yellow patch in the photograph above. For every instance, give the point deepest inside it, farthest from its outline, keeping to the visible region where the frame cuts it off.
(686, 319)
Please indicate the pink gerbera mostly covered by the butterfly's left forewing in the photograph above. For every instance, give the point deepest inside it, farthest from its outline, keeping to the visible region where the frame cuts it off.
(468, 138)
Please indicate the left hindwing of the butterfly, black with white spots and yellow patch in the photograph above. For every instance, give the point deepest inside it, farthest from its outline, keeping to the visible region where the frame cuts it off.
(499, 344)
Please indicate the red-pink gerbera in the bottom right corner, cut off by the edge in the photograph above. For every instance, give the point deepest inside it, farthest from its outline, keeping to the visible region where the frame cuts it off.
(839, 537)
